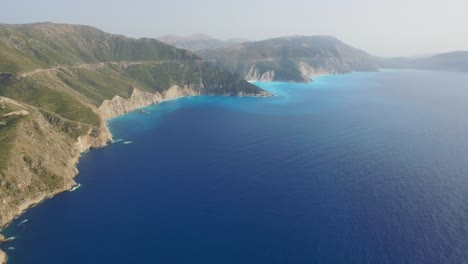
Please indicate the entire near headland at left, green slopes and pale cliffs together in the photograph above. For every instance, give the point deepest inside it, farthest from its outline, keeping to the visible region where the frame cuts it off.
(58, 84)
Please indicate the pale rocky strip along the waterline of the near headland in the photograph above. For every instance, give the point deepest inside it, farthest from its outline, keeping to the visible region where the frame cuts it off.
(119, 107)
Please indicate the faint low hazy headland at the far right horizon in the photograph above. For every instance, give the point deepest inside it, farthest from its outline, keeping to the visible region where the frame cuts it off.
(451, 61)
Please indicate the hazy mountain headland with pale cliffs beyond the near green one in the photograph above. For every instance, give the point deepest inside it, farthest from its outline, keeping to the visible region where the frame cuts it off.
(295, 58)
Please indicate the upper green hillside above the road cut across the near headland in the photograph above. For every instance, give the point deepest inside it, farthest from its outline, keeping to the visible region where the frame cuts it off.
(22, 47)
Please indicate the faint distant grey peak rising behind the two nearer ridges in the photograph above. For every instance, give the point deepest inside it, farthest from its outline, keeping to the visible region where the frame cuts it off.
(197, 42)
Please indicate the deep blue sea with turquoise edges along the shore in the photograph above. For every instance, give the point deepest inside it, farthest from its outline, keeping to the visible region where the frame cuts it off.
(357, 168)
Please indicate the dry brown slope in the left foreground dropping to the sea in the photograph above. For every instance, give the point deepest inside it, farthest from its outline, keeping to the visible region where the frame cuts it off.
(42, 159)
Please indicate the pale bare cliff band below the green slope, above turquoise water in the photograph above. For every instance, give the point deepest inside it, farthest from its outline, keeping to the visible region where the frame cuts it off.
(119, 106)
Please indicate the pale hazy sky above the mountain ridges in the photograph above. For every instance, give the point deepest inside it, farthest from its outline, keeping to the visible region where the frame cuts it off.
(381, 27)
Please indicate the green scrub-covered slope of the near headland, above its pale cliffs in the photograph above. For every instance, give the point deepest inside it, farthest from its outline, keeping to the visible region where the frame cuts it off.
(67, 69)
